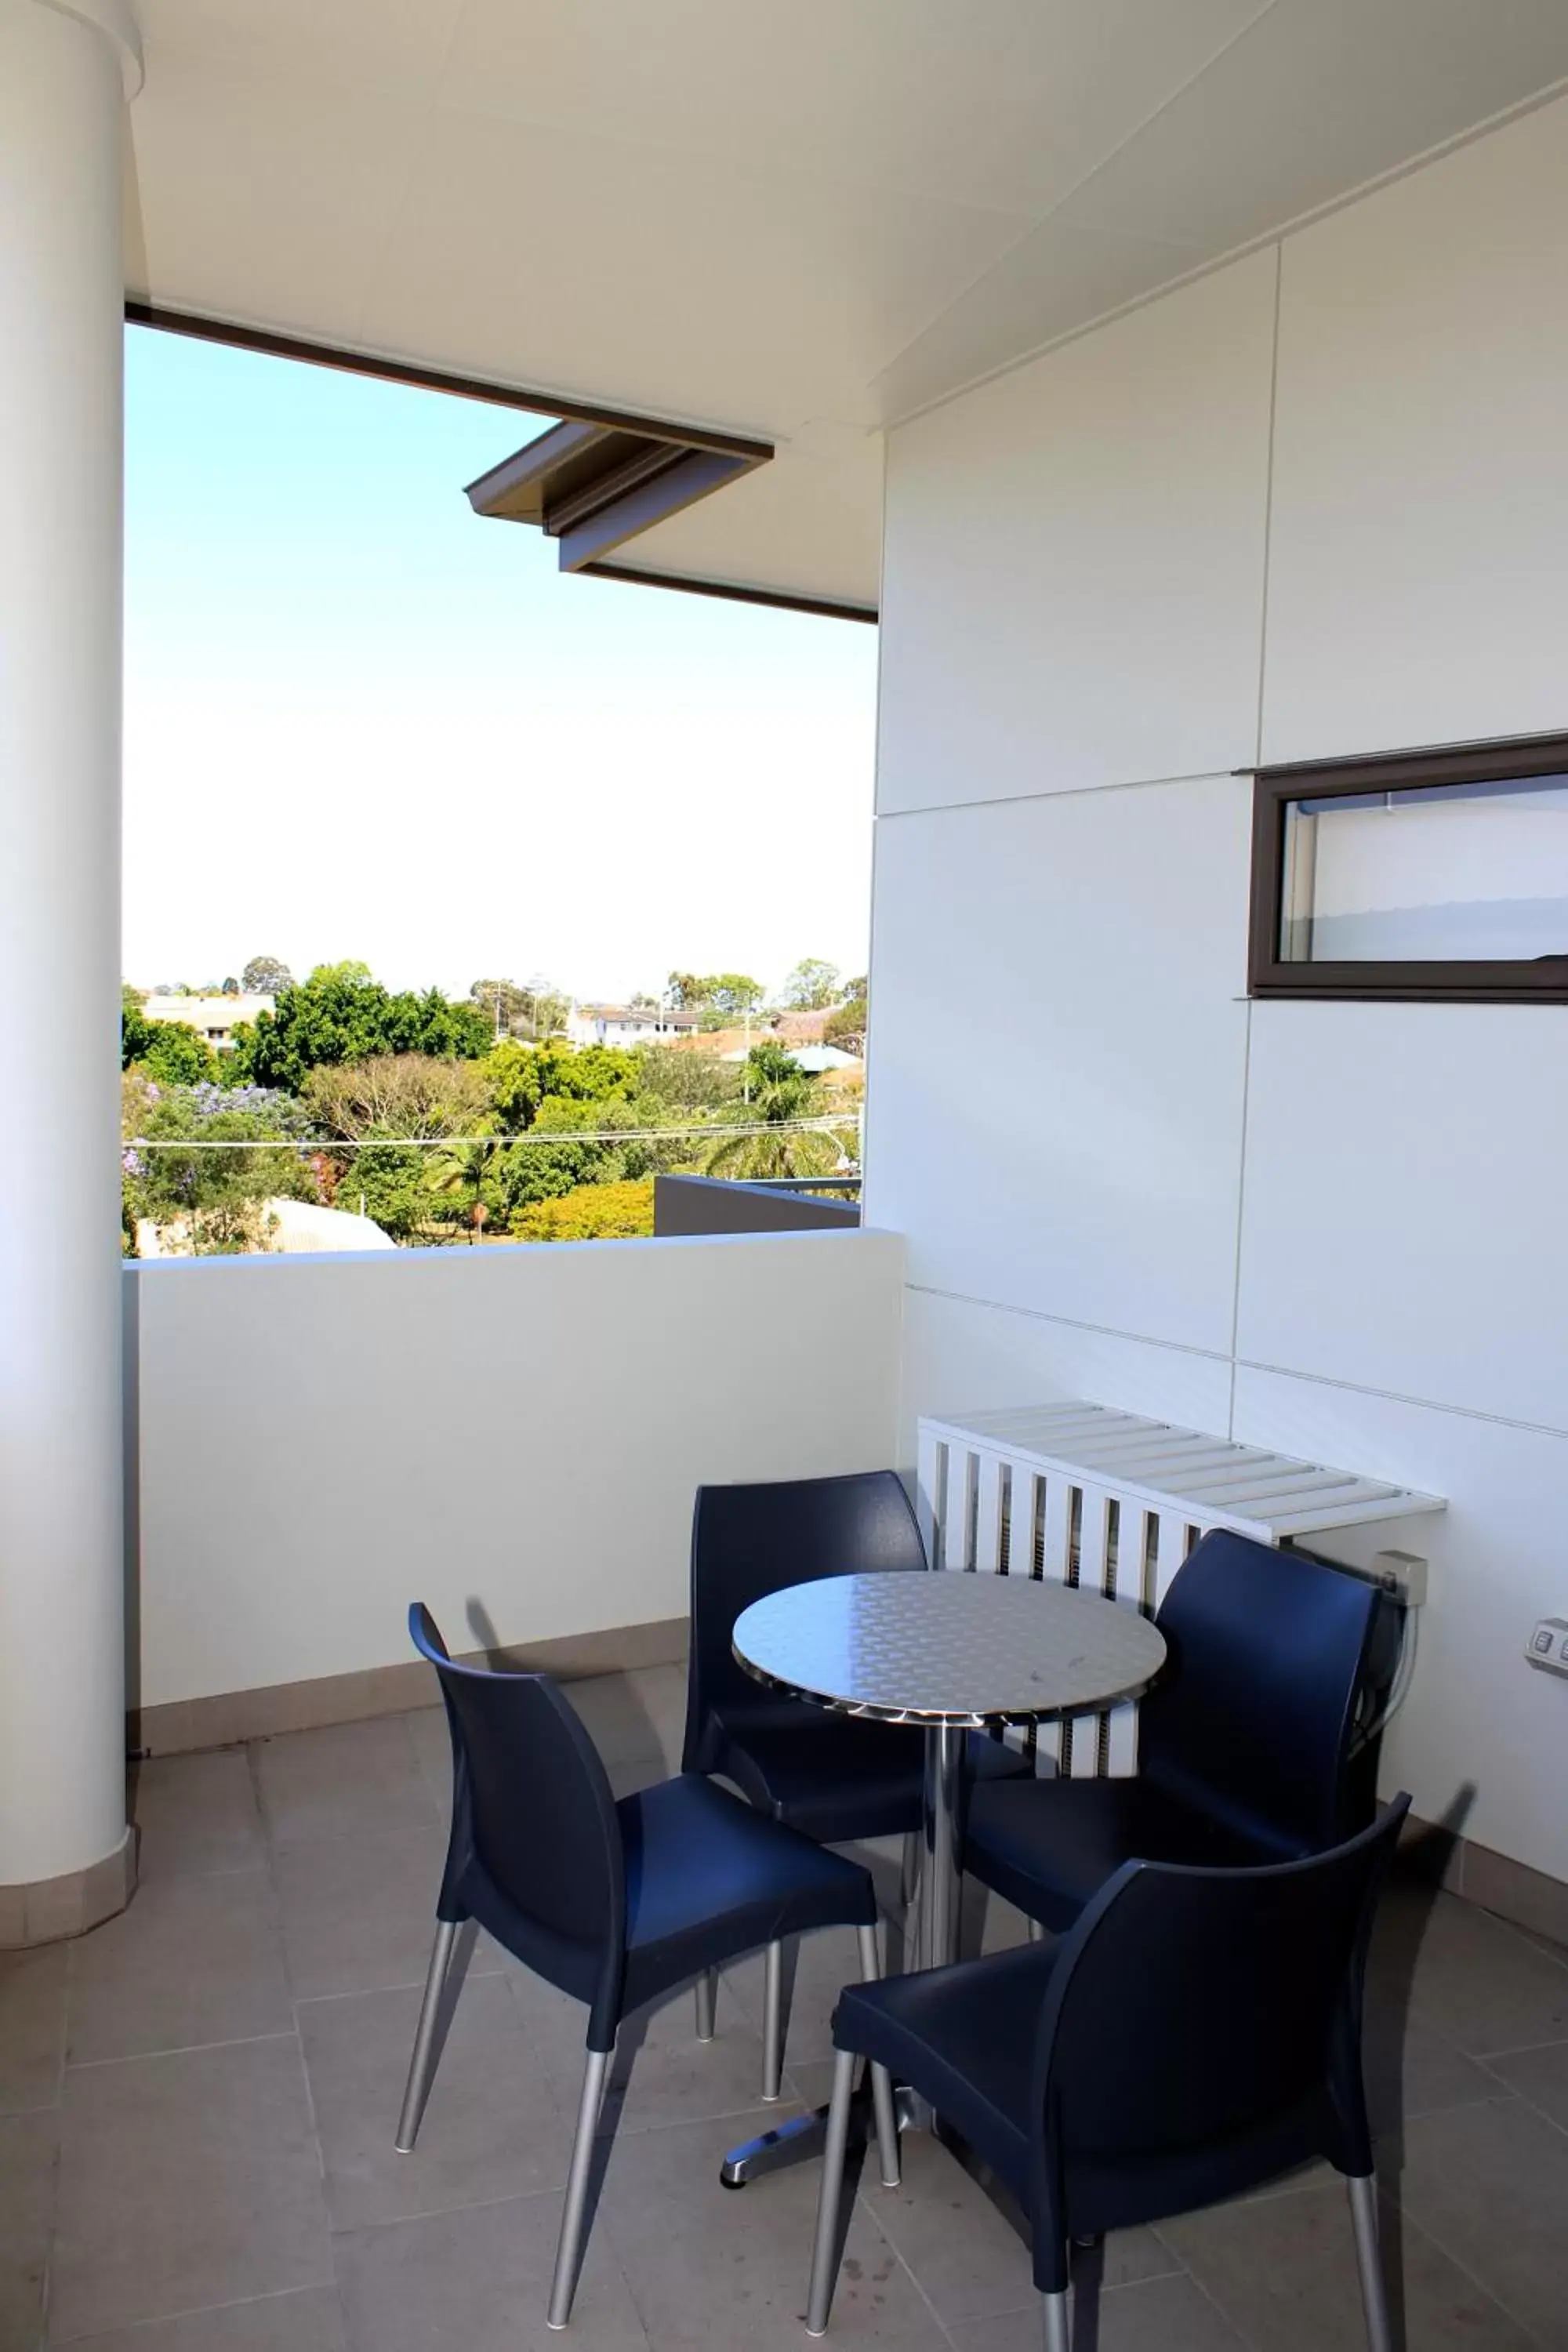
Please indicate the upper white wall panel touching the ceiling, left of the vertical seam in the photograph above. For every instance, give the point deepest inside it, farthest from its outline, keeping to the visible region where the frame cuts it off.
(1073, 561)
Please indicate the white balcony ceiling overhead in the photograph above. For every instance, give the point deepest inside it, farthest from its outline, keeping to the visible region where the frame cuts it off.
(793, 220)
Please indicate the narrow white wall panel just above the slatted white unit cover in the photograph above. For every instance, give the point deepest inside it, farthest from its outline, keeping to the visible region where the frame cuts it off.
(965, 1356)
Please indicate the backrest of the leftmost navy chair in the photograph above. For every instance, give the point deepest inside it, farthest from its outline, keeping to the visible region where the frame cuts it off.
(535, 1836)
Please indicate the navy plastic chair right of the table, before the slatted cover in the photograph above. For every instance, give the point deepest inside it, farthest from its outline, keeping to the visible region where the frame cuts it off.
(1247, 1744)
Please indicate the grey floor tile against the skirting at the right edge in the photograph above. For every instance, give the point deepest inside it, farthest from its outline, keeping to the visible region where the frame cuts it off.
(1470, 1977)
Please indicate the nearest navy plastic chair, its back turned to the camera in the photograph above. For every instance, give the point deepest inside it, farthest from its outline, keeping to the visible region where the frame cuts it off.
(1195, 2036)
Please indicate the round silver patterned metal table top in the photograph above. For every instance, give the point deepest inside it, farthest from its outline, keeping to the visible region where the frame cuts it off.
(949, 1648)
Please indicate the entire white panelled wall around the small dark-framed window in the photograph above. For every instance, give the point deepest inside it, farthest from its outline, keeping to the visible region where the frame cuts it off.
(1322, 1229)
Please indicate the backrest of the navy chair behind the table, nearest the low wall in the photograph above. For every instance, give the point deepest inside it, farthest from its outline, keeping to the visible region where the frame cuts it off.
(749, 1542)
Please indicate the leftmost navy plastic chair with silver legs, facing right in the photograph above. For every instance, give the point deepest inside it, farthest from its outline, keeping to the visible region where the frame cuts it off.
(610, 1902)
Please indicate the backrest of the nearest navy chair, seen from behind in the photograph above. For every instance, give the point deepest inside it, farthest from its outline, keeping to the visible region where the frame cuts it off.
(1202, 2031)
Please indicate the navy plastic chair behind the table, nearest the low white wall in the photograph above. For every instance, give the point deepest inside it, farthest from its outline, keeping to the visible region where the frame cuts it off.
(808, 1768)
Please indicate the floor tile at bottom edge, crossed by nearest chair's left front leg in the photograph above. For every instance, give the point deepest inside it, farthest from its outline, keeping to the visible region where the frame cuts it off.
(718, 2269)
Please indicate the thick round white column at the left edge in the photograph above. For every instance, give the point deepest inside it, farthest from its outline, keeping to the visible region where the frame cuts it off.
(65, 74)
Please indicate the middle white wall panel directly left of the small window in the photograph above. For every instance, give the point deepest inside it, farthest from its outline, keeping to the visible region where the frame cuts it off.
(1059, 1053)
